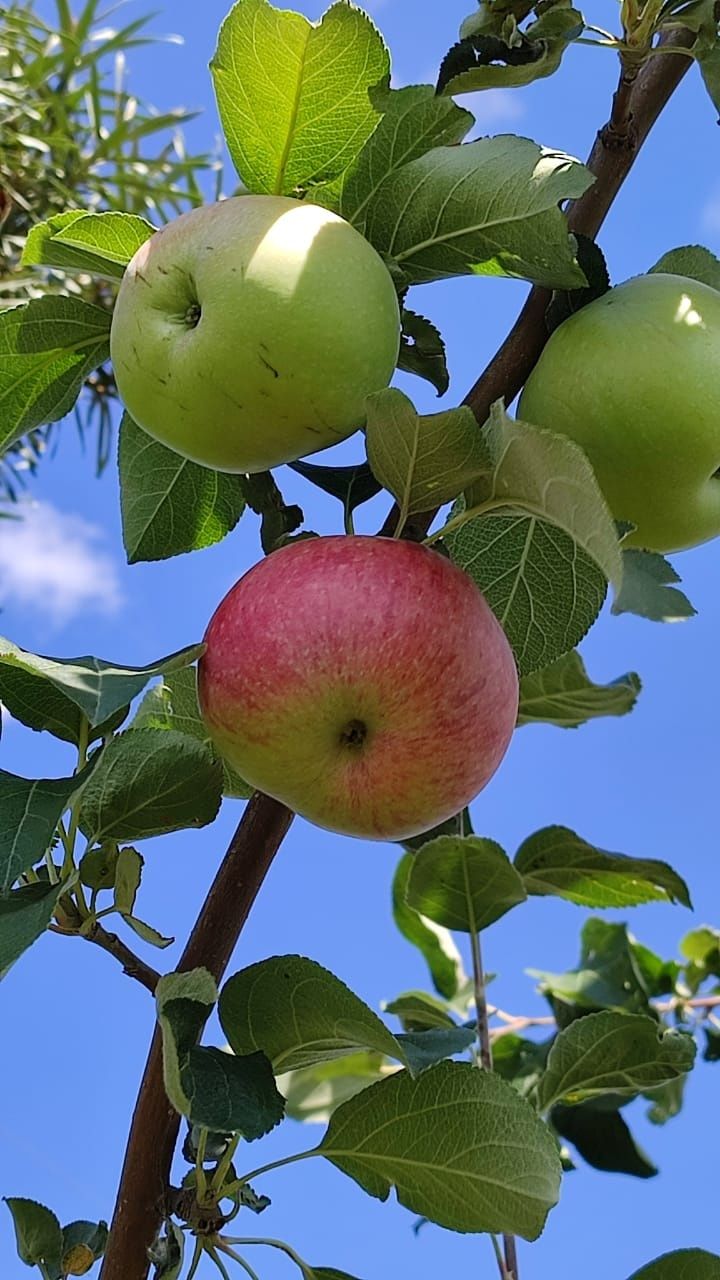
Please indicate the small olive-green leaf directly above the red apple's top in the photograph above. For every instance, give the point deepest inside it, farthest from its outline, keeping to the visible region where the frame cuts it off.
(425, 461)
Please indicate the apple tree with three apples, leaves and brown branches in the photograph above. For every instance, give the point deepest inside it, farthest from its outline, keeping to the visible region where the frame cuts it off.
(253, 332)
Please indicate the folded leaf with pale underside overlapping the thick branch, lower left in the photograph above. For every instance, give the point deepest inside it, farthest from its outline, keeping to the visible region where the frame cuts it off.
(184, 1003)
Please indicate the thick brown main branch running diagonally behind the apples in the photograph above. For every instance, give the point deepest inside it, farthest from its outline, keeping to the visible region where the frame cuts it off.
(156, 1126)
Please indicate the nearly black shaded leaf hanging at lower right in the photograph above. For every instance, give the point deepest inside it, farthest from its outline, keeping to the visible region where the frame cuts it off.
(603, 1140)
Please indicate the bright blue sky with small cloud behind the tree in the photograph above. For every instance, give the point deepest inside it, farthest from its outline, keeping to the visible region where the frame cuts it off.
(646, 785)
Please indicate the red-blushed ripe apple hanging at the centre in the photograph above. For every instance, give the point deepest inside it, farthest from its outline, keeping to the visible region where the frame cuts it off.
(363, 682)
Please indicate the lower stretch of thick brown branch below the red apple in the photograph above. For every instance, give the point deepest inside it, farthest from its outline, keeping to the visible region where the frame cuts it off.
(153, 1137)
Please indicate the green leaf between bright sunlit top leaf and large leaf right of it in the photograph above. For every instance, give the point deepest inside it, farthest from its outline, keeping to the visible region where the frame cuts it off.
(414, 122)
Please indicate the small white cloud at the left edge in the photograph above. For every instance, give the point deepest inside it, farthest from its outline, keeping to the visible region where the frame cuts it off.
(54, 564)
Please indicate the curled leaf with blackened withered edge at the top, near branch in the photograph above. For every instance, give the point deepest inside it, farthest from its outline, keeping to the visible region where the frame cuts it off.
(482, 61)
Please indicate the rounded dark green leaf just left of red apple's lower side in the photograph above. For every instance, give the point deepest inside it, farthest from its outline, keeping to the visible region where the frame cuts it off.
(148, 784)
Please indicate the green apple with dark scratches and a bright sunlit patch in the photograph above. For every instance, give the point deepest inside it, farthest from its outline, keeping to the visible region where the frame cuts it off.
(249, 333)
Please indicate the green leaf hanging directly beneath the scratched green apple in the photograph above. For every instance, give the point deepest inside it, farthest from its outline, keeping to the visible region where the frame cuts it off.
(170, 505)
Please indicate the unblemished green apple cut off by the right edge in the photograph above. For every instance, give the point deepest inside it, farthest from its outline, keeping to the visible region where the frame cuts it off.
(635, 380)
